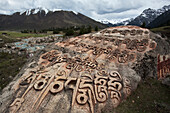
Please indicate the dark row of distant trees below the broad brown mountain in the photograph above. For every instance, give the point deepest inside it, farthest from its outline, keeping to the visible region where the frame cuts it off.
(69, 31)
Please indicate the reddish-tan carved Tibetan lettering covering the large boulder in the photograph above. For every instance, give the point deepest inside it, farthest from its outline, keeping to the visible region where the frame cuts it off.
(88, 67)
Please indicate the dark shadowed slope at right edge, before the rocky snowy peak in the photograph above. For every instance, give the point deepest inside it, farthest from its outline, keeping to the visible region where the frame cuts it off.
(163, 19)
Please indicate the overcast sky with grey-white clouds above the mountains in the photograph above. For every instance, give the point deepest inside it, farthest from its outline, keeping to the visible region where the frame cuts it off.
(112, 10)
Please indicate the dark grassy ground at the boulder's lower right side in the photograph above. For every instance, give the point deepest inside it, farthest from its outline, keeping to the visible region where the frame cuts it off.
(150, 97)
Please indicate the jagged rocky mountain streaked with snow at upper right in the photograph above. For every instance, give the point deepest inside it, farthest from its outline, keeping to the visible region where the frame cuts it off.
(148, 15)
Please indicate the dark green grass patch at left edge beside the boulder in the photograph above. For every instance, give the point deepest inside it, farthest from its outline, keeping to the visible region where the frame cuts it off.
(10, 65)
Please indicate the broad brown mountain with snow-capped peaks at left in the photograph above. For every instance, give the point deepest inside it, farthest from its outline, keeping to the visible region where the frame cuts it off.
(41, 18)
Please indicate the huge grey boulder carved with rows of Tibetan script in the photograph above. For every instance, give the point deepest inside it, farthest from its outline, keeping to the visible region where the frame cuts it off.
(91, 73)
